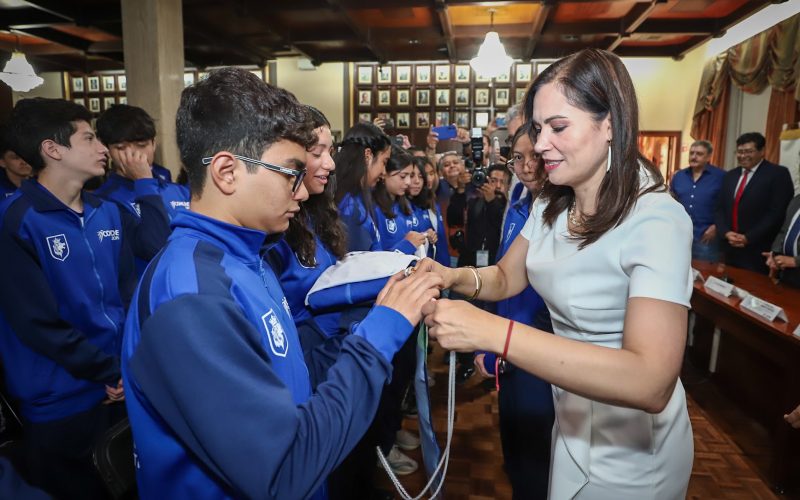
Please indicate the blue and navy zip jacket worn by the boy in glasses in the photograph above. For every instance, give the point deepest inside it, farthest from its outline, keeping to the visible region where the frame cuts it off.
(218, 394)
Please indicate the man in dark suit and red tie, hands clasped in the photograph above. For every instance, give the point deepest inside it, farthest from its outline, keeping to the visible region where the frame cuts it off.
(752, 203)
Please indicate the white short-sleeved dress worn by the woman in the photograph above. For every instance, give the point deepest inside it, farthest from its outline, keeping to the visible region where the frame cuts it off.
(602, 451)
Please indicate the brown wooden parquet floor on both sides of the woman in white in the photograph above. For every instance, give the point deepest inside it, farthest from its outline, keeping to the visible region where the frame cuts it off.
(722, 470)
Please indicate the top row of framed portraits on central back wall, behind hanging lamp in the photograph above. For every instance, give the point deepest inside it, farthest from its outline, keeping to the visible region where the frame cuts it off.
(440, 73)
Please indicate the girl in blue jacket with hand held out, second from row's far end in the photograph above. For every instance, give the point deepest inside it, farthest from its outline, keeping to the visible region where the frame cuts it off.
(393, 213)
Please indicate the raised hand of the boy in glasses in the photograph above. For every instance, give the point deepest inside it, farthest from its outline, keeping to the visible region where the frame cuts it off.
(408, 294)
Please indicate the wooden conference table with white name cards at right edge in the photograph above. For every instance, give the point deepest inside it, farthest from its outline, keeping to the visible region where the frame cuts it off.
(753, 361)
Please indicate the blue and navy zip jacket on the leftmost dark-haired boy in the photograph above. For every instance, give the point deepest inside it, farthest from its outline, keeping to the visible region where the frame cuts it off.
(64, 290)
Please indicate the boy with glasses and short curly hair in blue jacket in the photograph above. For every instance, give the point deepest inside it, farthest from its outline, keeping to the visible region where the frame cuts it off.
(218, 392)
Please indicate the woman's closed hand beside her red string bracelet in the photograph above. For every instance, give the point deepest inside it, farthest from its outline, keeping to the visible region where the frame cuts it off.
(459, 326)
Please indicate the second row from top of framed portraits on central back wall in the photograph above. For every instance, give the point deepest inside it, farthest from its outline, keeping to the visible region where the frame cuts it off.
(498, 96)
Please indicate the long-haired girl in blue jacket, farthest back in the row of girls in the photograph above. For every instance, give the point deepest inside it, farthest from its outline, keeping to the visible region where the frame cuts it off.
(427, 217)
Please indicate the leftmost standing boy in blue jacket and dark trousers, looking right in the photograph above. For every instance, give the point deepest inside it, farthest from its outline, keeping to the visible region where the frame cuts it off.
(67, 279)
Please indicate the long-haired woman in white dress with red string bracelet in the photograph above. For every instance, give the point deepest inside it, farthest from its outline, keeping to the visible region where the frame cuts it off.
(609, 251)
